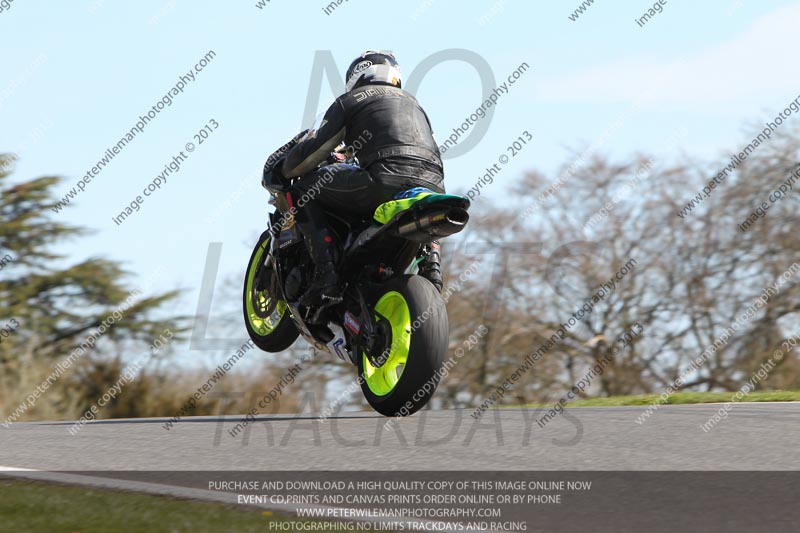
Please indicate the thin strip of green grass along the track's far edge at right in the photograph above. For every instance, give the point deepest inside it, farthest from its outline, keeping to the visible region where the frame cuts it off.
(683, 398)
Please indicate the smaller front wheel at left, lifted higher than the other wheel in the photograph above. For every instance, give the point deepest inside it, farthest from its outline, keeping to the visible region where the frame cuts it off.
(266, 317)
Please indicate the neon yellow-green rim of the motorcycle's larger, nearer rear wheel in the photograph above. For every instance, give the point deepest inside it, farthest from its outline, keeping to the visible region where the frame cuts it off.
(382, 380)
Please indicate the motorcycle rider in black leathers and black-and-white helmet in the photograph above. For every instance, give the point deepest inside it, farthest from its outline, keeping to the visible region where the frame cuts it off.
(395, 149)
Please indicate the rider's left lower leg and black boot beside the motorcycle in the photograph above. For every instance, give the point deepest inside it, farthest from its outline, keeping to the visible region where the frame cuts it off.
(321, 246)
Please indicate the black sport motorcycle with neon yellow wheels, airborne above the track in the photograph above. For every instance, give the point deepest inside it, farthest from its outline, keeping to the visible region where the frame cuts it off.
(390, 322)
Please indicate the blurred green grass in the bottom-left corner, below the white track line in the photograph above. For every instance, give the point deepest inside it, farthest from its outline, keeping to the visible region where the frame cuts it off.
(34, 507)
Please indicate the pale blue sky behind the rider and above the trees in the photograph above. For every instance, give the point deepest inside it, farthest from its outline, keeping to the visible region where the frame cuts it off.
(77, 75)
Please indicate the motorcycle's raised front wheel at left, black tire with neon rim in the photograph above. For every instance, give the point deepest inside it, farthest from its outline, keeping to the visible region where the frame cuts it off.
(270, 338)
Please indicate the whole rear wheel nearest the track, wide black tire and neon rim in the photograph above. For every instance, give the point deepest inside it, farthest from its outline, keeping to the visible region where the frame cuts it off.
(412, 319)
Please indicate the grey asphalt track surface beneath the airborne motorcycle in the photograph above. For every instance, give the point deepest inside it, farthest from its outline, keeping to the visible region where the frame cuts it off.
(755, 437)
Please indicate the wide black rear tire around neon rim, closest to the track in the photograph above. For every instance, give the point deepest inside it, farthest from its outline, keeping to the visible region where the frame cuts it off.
(426, 350)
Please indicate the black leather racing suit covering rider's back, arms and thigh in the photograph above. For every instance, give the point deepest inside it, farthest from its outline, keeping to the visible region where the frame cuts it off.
(392, 137)
